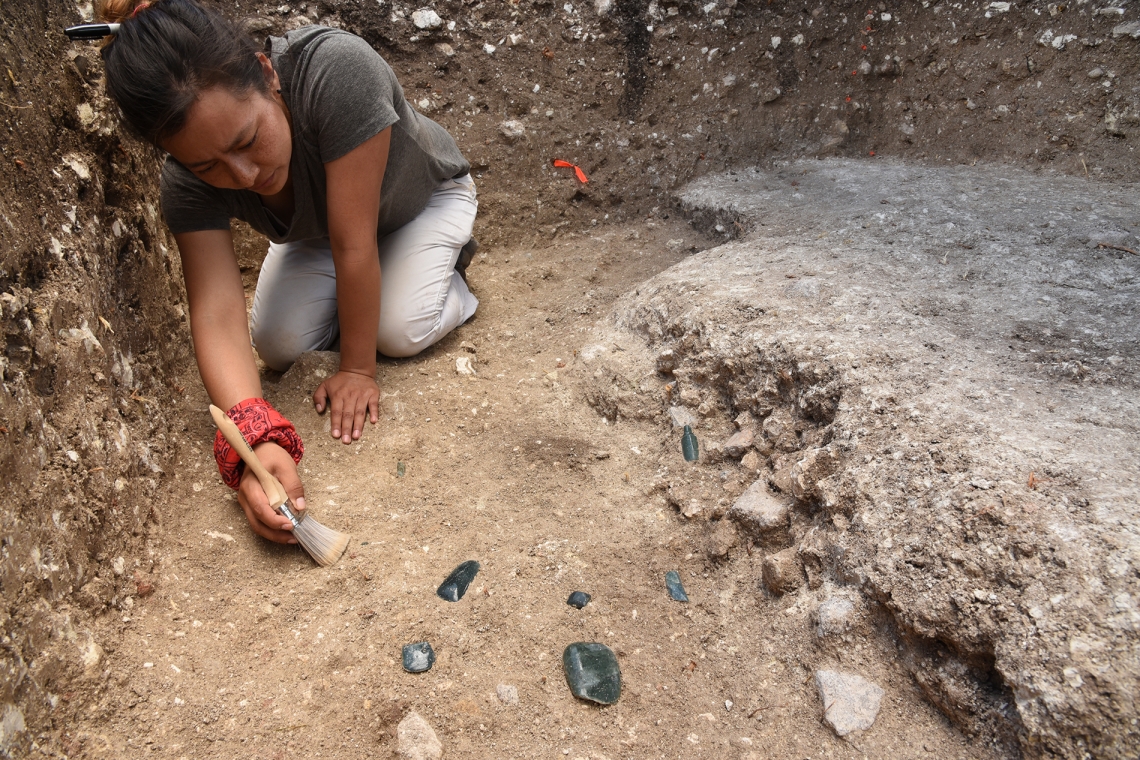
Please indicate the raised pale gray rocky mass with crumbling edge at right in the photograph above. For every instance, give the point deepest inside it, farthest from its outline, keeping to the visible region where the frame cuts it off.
(937, 371)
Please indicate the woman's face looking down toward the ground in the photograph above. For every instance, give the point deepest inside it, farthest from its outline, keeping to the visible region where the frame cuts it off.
(239, 142)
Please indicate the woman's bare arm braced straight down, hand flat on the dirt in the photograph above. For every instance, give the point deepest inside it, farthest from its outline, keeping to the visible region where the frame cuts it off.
(355, 184)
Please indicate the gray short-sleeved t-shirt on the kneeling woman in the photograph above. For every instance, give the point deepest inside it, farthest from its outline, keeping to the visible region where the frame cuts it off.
(340, 93)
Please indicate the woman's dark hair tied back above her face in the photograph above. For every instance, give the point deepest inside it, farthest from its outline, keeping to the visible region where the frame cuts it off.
(166, 54)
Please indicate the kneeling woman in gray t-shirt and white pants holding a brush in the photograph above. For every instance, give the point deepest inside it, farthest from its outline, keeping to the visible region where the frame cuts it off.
(369, 206)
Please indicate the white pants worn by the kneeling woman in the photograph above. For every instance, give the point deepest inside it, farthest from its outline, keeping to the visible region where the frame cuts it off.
(422, 298)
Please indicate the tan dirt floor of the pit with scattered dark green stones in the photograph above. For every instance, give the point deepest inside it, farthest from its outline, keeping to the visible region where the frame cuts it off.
(248, 650)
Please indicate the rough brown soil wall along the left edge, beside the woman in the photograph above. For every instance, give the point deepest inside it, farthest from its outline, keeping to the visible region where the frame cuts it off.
(94, 338)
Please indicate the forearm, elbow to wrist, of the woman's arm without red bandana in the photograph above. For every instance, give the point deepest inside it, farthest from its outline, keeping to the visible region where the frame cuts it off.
(359, 308)
